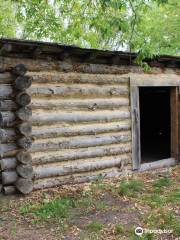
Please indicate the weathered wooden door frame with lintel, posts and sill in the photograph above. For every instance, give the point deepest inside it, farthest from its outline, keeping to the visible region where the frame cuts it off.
(152, 80)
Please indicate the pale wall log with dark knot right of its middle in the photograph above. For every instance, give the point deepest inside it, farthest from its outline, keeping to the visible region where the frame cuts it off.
(89, 104)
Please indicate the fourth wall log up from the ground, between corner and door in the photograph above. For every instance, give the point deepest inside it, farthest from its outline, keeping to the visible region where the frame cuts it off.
(80, 142)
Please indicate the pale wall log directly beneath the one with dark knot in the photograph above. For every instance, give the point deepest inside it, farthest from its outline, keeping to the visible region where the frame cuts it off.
(40, 118)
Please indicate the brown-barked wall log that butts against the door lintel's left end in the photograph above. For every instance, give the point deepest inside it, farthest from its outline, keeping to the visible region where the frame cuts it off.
(58, 77)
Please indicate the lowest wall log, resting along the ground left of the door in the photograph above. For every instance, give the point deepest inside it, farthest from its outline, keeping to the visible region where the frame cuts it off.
(75, 178)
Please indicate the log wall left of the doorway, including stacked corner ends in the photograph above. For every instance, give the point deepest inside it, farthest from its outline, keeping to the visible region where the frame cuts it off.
(80, 126)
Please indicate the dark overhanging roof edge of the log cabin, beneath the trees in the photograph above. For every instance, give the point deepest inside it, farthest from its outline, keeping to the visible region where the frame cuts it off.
(47, 50)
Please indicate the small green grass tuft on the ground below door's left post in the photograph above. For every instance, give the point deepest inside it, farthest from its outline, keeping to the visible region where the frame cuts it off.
(131, 187)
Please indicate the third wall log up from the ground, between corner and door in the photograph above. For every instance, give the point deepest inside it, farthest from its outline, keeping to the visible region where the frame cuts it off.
(70, 154)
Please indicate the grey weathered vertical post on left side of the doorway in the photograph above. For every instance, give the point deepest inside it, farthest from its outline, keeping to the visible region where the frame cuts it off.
(135, 116)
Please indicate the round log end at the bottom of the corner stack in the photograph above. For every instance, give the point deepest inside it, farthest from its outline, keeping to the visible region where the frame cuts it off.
(25, 186)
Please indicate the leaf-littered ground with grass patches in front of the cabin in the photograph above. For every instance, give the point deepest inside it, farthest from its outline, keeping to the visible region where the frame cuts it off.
(105, 209)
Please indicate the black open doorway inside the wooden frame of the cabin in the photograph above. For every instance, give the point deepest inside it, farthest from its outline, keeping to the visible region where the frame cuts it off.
(155, 123)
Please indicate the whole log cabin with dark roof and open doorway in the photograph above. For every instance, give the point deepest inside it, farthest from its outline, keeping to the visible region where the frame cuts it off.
(70, 115)
